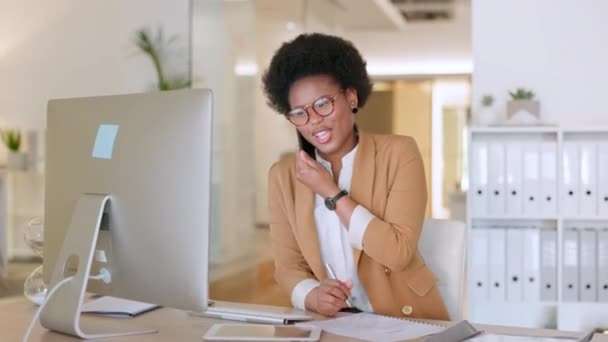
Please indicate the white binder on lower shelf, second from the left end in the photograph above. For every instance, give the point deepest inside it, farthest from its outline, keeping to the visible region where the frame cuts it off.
(497, 256)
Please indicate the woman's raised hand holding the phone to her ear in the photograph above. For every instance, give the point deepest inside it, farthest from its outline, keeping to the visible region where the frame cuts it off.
(312, 174)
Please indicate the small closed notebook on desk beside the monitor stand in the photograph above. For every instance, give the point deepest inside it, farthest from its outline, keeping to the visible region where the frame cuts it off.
(119, 307)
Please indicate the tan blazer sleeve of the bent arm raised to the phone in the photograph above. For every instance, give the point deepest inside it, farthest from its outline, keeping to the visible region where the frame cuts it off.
(393, 239)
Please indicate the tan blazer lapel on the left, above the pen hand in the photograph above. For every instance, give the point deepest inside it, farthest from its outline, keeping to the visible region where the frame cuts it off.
(307, 230)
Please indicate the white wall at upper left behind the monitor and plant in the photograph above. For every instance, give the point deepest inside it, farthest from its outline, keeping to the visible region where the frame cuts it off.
(68, 48)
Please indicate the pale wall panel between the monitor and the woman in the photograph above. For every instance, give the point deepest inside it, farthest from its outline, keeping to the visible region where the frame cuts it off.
(214, 57)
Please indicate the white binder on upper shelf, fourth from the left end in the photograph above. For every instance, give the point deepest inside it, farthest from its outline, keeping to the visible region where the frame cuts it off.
(531, 179)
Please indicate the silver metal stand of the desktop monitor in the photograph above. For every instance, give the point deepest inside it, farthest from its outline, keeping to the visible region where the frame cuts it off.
(61, 311)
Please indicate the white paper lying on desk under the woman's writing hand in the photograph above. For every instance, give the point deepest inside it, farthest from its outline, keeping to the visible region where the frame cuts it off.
(370, 327)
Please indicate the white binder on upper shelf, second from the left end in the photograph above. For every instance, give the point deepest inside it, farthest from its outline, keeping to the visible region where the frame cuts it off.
(496, 175)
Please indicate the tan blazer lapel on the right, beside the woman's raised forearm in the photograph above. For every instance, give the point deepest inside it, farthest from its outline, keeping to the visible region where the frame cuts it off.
(362, 183)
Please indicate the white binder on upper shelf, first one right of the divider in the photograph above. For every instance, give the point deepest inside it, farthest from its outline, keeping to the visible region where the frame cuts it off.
(570, 179)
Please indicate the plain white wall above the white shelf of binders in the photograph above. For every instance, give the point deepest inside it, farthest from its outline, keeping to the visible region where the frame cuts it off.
(558, 49)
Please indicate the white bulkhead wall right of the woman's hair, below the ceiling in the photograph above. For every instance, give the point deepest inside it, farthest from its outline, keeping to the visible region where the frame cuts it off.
(420, 48)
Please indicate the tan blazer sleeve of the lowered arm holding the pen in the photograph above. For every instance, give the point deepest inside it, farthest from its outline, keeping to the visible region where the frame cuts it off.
(290, 266)
